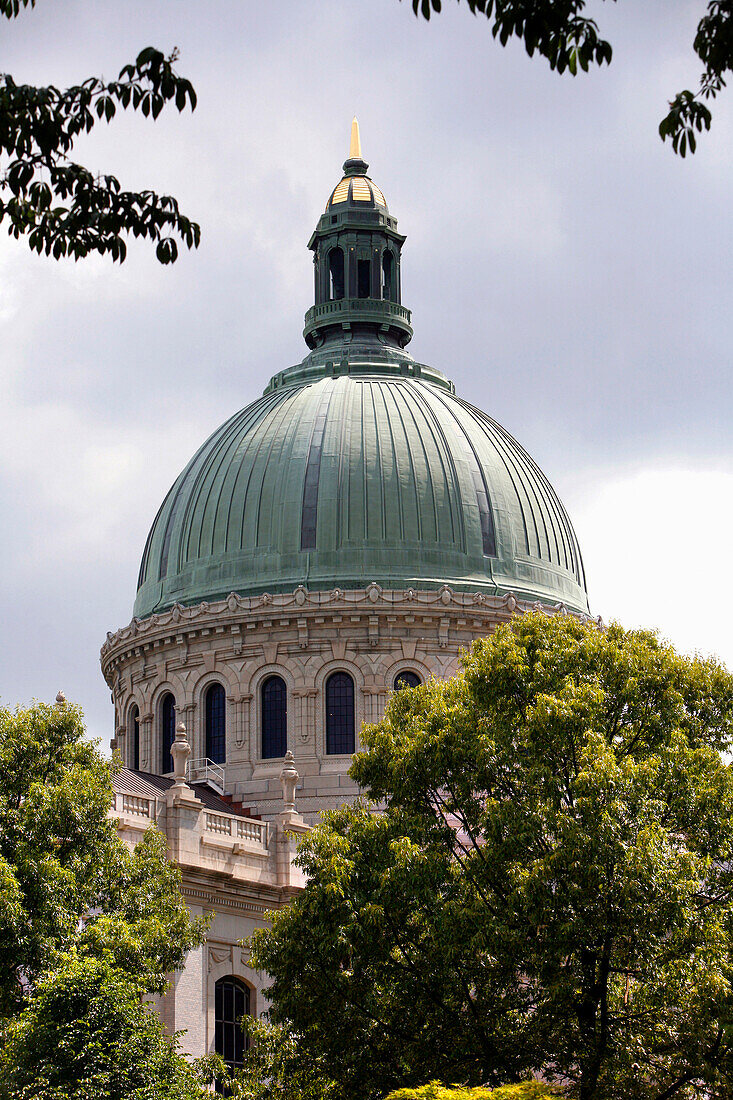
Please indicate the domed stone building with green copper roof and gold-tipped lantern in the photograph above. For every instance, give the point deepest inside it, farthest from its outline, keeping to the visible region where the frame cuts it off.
(346, 535)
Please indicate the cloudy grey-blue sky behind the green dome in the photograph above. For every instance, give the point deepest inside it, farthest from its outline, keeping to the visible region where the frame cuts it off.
(567, 271)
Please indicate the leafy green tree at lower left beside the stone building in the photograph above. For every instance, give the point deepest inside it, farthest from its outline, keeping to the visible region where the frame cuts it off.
(89, 929)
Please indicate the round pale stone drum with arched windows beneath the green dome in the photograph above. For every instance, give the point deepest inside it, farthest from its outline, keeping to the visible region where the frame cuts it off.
(302, 636)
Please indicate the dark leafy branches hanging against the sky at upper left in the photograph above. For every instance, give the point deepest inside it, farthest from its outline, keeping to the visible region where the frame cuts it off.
(62, 207)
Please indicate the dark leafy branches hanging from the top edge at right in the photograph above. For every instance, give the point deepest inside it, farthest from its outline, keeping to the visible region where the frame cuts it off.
(559, 31)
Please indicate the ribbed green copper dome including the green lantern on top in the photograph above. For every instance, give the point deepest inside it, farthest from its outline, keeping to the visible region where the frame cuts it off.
(360, 465)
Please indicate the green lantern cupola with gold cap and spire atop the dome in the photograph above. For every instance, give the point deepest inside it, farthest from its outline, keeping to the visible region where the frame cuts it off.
(357, 254)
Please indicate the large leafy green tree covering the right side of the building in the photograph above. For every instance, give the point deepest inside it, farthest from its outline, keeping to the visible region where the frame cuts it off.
(548, 889)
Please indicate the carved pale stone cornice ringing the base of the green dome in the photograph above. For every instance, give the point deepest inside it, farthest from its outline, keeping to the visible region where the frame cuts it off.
(222, 617)
